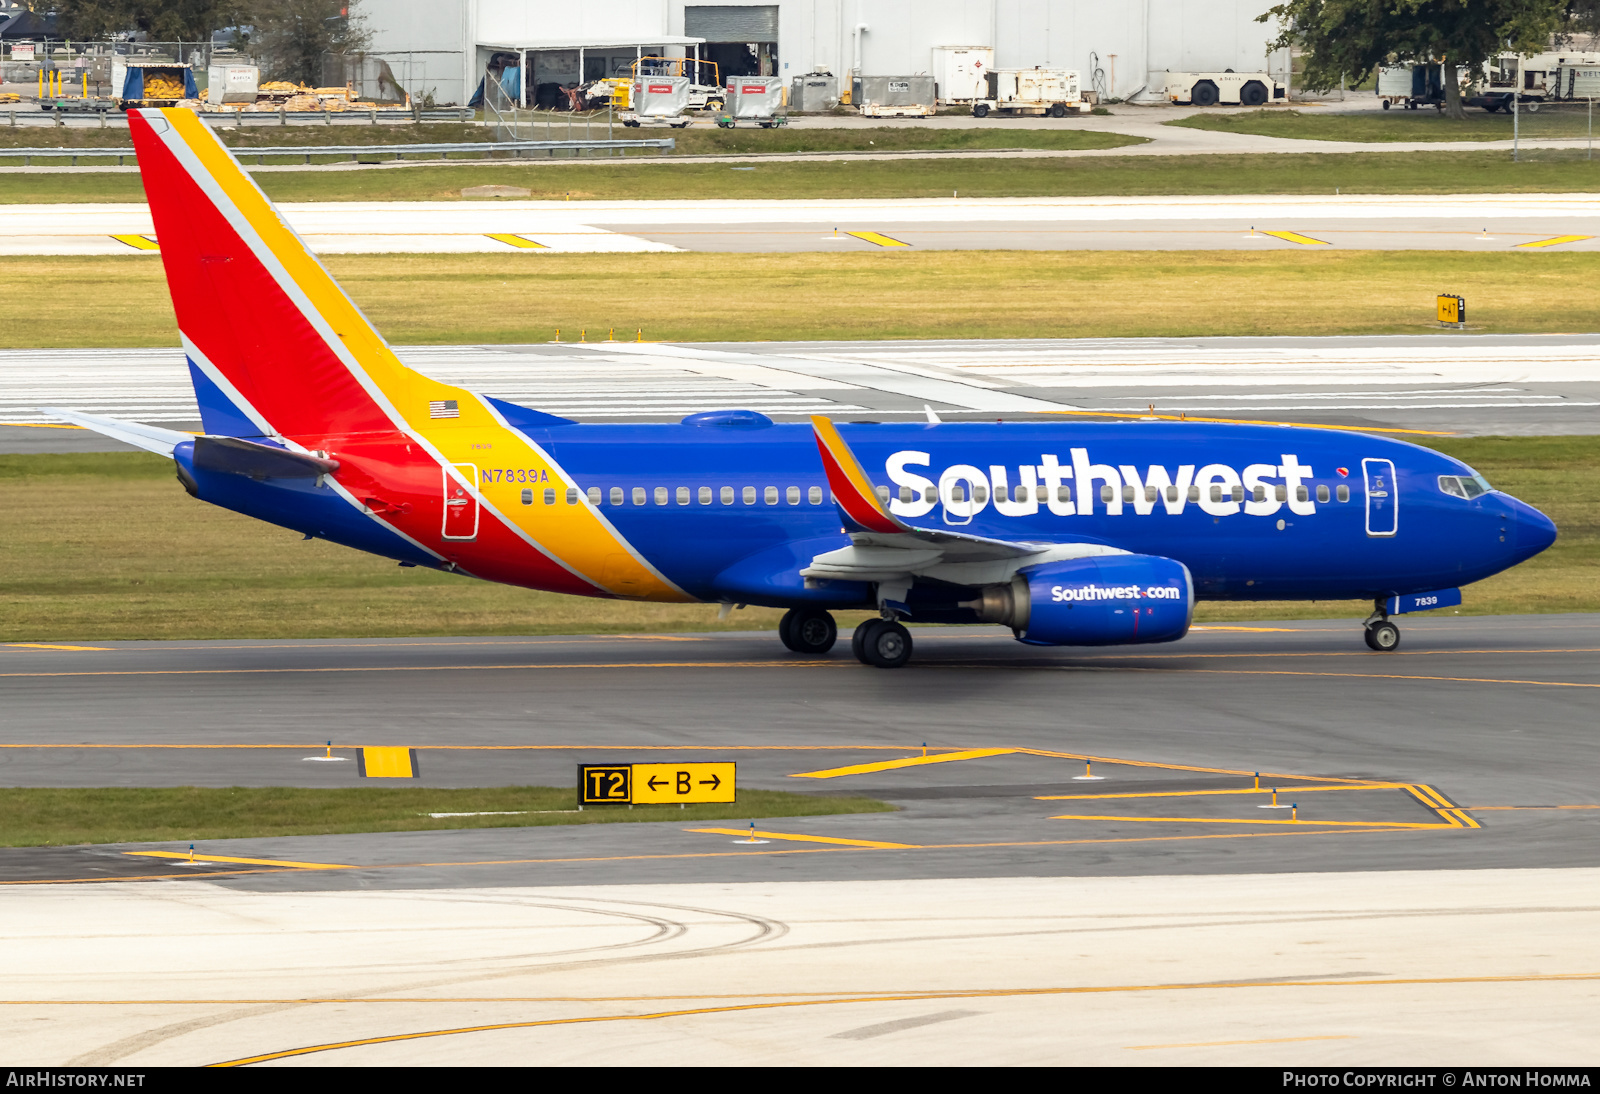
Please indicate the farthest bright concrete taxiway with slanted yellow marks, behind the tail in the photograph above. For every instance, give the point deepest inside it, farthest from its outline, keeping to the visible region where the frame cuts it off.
(1287, 223)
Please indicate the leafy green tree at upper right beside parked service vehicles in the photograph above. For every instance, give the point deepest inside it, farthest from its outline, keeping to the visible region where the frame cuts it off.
(1353, 38)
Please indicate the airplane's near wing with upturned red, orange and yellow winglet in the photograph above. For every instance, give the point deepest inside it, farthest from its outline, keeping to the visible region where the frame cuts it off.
(887, 549)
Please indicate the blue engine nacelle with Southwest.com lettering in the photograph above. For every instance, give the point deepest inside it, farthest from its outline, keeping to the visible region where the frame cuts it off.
(1108, 601)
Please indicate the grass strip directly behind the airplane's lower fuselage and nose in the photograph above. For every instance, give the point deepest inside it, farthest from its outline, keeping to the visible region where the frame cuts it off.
(110, 548)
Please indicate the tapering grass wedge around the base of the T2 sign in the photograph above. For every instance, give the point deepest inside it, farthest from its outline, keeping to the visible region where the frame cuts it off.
(126, 815)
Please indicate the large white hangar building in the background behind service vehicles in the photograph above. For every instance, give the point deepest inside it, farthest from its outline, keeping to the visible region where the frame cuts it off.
(1122, 47)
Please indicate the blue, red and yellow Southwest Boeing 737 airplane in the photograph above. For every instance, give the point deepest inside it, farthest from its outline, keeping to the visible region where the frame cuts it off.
(1071, 535)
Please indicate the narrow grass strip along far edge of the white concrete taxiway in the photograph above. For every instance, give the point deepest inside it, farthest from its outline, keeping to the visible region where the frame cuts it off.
(1065, 177)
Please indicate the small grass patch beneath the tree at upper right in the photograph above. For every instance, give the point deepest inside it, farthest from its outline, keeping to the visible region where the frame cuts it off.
(1393, 126)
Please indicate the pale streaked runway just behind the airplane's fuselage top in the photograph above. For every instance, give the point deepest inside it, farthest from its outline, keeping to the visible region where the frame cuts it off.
(1454, 381)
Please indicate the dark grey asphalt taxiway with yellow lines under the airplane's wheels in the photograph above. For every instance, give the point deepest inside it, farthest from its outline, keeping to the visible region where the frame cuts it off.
(1489, 714)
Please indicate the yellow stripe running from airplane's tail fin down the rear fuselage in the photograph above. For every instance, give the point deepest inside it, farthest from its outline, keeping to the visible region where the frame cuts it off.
(575, 535)
